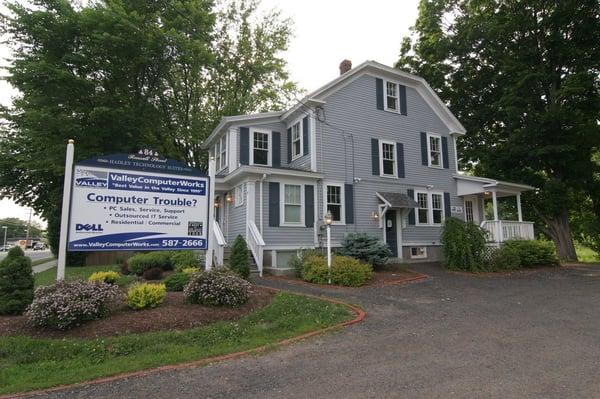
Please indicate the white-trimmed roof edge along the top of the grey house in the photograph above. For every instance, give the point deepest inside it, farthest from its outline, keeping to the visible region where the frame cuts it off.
(372, 67)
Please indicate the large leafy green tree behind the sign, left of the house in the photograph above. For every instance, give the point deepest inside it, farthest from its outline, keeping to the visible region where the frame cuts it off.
(117, 75)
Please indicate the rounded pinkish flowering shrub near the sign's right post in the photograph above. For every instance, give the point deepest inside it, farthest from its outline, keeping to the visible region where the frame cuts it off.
(217, 287)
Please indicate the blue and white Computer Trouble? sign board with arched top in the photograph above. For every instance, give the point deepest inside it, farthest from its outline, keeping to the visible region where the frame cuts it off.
(137, 202)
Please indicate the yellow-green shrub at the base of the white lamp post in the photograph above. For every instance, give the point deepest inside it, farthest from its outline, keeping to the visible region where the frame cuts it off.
(345, 271)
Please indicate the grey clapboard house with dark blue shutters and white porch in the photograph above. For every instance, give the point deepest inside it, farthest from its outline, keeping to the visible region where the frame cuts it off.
(375, 146)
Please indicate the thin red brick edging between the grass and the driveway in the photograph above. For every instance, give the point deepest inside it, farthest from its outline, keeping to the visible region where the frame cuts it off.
(360, 315)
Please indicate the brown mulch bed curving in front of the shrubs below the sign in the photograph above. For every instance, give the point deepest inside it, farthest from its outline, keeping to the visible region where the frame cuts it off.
(172, 314)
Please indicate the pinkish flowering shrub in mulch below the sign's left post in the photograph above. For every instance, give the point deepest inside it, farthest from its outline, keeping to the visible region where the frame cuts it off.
(67, 304)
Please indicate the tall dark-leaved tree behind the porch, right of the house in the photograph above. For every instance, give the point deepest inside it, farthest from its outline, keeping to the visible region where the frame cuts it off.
(523, 76)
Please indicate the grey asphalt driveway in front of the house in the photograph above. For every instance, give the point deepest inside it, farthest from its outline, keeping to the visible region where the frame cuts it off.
(451, 336)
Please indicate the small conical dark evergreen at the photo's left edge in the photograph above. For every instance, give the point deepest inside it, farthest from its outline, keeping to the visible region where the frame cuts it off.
(16, 282)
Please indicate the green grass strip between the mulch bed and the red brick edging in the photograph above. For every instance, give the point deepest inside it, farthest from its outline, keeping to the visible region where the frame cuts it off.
(30, 363)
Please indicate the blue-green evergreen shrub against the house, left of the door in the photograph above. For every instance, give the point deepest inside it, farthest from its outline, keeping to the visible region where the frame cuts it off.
(365, 247)
